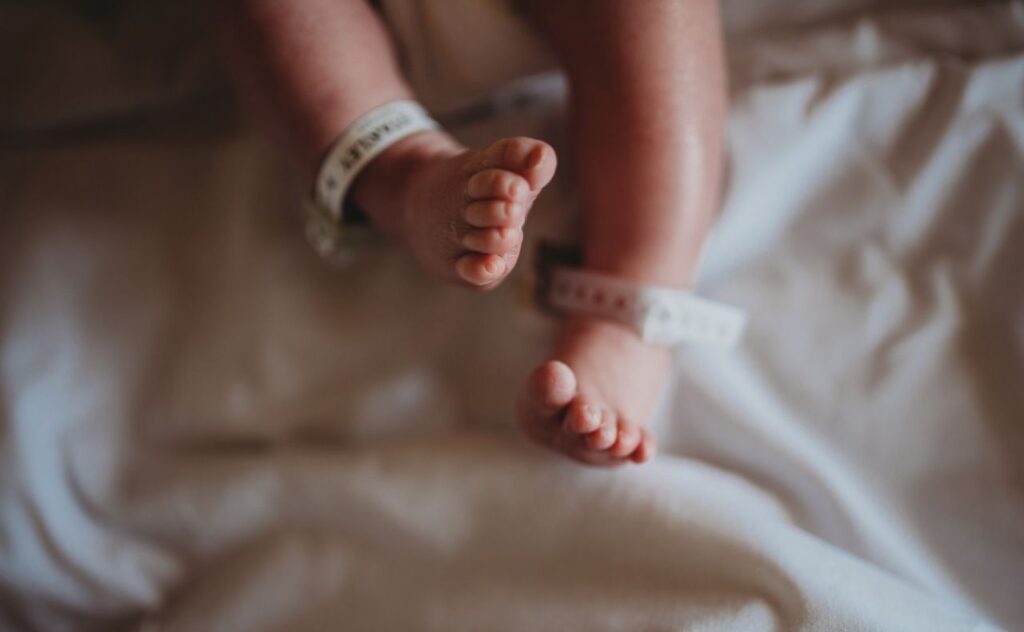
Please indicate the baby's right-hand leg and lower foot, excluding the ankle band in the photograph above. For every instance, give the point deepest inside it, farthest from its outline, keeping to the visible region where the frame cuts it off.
(649, 102)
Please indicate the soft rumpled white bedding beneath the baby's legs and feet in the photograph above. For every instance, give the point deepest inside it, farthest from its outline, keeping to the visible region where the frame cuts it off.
(203, 429)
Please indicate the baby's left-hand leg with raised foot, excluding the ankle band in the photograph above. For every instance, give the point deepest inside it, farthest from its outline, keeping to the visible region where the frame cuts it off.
(316, 66)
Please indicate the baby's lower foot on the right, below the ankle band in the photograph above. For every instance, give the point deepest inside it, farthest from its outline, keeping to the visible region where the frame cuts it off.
(592, 402)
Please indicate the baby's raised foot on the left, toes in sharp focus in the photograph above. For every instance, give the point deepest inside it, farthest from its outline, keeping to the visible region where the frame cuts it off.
(459, 213)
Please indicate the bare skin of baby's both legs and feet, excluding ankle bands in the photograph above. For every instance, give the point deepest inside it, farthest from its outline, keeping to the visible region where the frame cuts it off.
(647, 115)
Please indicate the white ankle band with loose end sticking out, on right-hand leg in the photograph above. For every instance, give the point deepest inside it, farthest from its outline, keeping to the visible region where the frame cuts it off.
(659, 316)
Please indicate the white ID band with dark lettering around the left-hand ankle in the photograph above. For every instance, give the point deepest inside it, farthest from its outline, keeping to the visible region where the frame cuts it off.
(363, 141)
